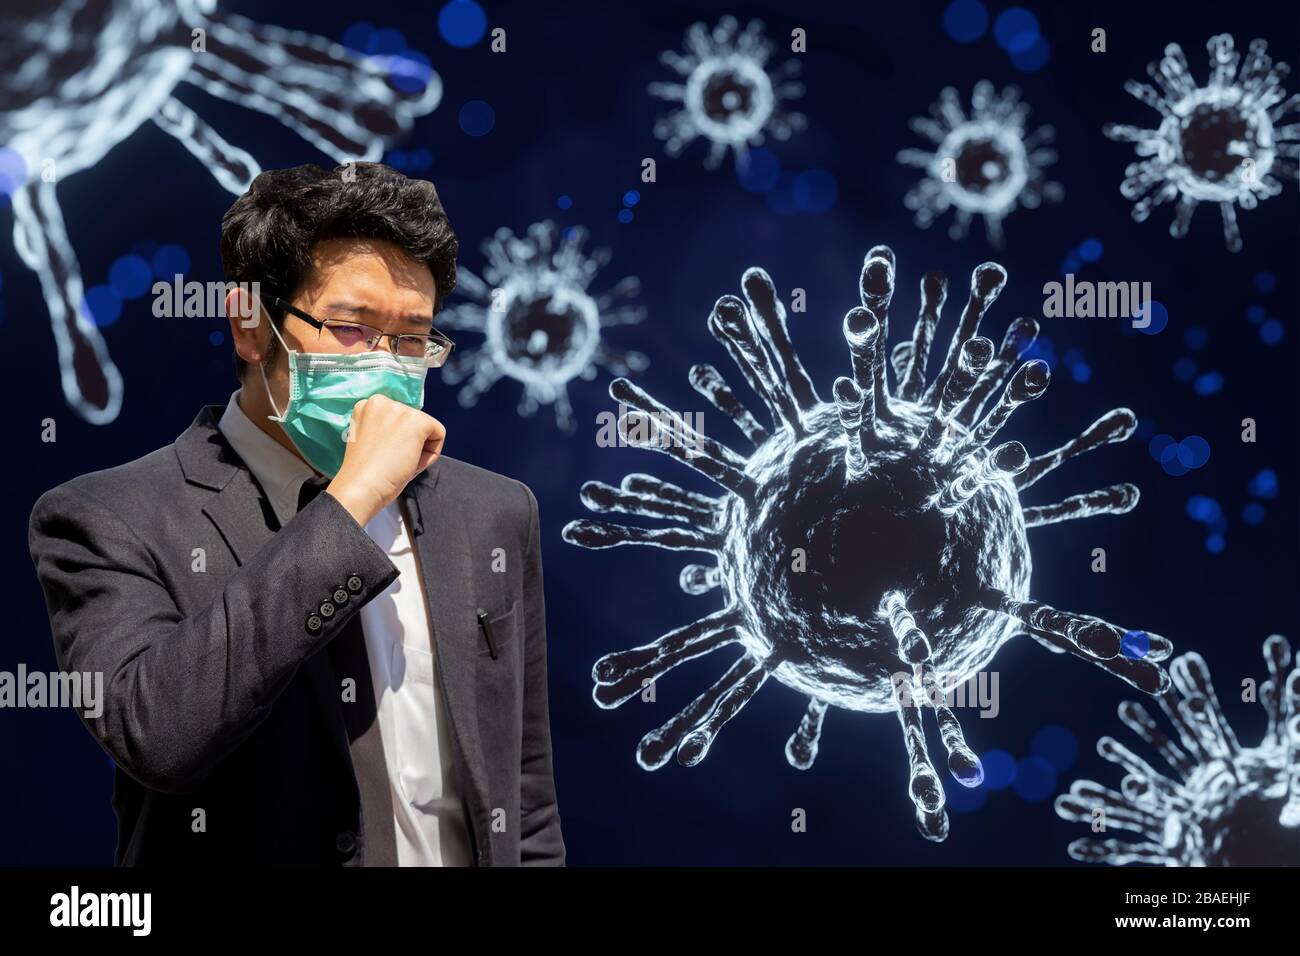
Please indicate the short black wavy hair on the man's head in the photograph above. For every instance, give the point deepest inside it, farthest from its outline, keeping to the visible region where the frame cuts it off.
(268, 235)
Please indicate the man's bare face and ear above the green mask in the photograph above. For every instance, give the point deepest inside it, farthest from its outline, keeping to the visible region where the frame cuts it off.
(356, 282)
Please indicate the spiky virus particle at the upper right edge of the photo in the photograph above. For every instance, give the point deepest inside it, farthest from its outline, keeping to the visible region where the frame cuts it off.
(1216, 144)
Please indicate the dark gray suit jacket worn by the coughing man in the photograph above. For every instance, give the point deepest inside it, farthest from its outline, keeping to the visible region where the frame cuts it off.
(218, 698)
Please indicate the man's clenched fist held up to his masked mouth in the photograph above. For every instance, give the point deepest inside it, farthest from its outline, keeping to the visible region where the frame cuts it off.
(389, 444)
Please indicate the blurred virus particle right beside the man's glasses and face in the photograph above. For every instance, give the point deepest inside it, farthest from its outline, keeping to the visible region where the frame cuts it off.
(541, 323)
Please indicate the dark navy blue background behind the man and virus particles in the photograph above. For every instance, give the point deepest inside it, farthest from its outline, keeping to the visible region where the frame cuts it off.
(573, 118)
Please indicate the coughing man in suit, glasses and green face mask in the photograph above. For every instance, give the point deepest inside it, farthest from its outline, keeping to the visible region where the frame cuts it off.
(323, 642)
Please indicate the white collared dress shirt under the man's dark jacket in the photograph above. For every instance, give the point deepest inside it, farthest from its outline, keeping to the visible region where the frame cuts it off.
(430, 820)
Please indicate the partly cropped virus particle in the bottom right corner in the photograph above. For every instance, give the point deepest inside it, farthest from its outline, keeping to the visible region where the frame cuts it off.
(1221, 804)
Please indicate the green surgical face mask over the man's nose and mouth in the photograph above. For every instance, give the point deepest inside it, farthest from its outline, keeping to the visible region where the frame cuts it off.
(323, 388)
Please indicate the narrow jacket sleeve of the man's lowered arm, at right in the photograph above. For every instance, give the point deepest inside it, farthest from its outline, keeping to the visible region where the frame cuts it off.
(541, 843)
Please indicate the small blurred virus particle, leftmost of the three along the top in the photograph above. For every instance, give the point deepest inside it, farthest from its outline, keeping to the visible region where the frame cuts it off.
(727, 93)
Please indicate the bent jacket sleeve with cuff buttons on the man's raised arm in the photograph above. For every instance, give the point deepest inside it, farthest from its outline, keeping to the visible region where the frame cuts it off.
(183, 693)
